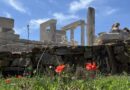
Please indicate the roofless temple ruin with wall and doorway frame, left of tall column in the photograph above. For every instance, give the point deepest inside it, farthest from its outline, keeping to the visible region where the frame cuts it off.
(49, 32)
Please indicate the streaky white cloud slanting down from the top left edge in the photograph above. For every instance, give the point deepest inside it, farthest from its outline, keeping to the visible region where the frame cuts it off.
(16, 5)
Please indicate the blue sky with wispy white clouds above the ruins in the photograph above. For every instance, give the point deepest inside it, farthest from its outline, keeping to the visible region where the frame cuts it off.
(34, 12)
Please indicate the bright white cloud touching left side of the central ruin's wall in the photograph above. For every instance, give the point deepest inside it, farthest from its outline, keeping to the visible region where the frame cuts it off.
(35, 23)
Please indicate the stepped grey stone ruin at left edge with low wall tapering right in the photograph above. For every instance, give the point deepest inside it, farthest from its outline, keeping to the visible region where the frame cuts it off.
(9, 41)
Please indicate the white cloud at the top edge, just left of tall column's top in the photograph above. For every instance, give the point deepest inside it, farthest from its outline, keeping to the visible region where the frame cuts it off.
(78, 5)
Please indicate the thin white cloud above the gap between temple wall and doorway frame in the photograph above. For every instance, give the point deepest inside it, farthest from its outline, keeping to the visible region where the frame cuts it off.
(62, 18)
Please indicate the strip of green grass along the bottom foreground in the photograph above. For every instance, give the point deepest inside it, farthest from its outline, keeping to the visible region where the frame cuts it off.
(64, 83)
